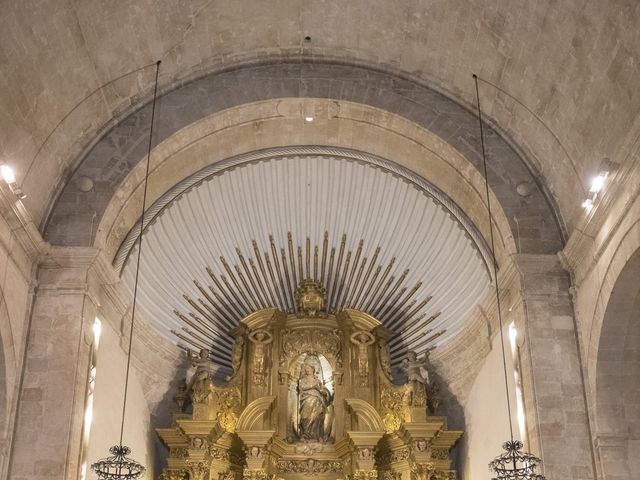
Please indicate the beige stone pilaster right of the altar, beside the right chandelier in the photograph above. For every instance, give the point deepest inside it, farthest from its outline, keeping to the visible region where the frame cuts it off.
(553, 390)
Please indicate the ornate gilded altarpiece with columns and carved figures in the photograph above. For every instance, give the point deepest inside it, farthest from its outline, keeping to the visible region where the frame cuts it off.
(311, 395)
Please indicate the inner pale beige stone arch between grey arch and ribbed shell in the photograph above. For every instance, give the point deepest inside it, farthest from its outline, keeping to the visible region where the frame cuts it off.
(360, 129)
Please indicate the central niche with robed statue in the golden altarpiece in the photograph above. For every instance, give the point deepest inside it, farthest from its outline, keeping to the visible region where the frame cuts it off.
(312, 411)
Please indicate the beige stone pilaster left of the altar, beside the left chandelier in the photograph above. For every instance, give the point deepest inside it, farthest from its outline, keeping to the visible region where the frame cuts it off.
(47, 440)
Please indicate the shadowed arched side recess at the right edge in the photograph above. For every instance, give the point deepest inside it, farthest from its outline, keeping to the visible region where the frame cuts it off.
(617, 386)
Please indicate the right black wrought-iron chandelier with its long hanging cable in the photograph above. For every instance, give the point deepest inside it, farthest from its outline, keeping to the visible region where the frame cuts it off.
(513, 464)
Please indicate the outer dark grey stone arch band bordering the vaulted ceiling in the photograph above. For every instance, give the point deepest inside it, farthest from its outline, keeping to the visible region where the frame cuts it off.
(75, 214)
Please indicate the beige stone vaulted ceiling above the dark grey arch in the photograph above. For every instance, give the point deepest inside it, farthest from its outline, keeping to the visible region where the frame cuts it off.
(566, 72)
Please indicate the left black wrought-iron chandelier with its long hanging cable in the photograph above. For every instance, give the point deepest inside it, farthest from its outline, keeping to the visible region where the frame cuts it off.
(118, 466)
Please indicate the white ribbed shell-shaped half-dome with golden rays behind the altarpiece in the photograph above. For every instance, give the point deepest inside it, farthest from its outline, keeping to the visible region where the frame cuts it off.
(240, 237)
